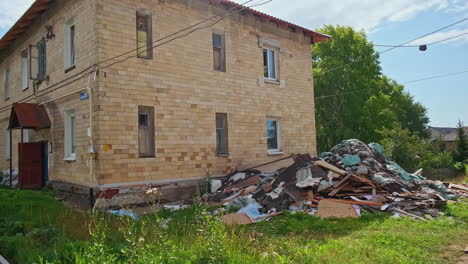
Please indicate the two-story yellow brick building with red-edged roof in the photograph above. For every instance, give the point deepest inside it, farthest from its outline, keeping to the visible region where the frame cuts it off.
(118, 94)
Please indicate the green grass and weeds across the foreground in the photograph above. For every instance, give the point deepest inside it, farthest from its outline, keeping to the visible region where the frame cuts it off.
(35, 228)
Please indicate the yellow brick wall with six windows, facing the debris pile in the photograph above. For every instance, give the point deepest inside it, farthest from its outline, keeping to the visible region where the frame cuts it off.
(186, 93)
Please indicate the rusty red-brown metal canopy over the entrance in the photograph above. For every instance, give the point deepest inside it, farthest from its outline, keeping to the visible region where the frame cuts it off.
(29, 116)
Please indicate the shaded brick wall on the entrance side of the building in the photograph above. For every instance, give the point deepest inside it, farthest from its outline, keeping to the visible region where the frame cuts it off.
(61, 11)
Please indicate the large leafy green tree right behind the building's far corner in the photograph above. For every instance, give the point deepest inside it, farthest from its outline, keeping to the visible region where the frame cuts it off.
(353, 99)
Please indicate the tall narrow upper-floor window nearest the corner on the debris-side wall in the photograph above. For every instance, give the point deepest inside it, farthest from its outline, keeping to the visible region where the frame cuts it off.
(144, 35)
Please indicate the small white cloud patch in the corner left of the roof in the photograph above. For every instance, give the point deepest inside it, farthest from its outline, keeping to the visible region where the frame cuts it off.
(11, 11)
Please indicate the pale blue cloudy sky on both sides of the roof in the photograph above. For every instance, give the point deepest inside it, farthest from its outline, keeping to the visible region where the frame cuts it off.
(385, 22)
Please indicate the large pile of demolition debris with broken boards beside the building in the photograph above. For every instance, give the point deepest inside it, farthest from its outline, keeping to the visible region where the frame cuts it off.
(352, 178)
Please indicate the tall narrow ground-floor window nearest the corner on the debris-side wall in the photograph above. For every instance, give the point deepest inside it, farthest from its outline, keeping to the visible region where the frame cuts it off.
(146, 131)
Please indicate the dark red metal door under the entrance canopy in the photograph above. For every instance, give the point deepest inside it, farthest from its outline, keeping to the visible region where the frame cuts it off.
(30, 165)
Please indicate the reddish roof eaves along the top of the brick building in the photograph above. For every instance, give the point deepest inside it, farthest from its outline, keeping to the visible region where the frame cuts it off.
(40, 6)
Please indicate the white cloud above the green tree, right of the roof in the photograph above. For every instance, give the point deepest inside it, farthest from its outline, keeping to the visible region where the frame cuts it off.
(360, 14)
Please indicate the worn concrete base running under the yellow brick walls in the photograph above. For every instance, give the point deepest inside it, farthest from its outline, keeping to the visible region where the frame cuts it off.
(131, 195)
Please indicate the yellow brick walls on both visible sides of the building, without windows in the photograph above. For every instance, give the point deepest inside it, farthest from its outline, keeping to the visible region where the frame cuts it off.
(181, 85)
